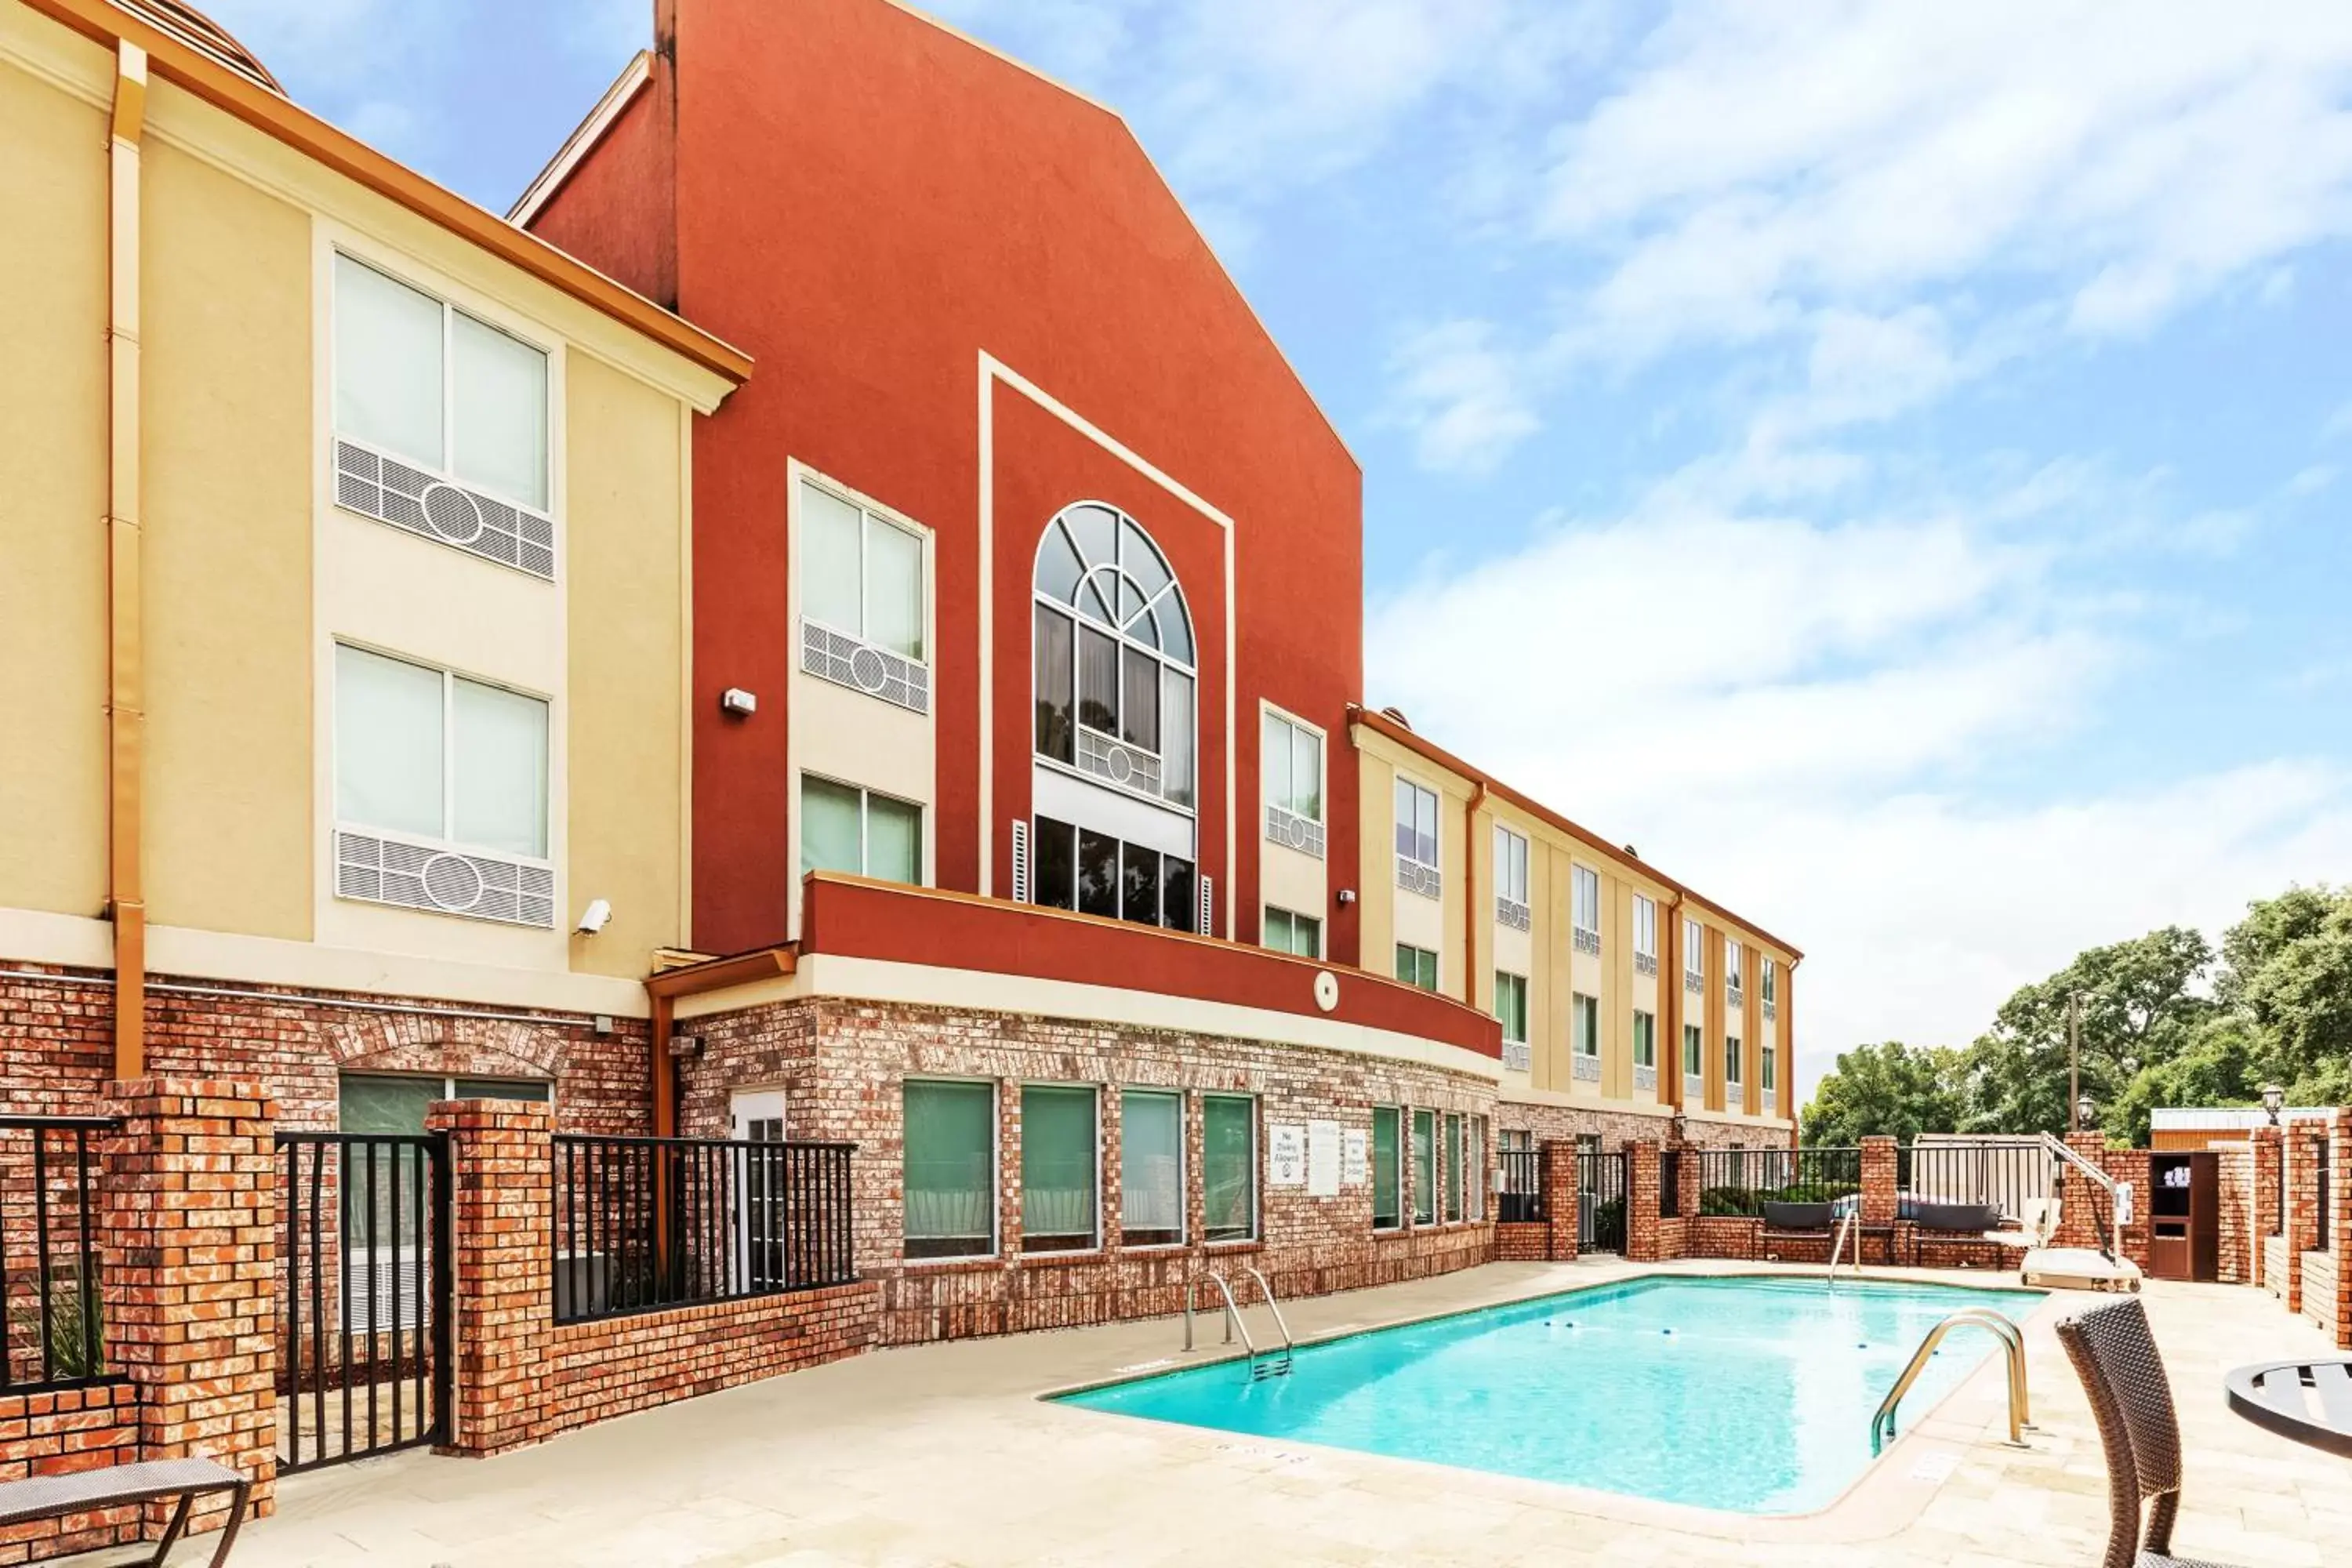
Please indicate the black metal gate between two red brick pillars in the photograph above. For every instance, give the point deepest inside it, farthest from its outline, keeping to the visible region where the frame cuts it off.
(363, 1296)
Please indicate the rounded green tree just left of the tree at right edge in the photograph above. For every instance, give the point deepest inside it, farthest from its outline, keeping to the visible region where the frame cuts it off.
(2139, 1010)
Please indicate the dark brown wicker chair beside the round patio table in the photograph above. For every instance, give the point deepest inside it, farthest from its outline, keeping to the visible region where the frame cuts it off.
(2134, 1405)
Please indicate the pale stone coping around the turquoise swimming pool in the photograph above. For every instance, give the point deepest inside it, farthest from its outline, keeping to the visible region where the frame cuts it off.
(1878, 1503)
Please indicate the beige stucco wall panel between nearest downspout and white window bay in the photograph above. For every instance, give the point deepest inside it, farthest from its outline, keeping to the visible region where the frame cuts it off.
(227, 448)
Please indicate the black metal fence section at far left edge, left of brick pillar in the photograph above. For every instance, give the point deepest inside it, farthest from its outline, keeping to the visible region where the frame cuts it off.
(51, 1214)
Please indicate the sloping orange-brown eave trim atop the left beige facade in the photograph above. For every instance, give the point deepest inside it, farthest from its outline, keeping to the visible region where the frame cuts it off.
(239, 95)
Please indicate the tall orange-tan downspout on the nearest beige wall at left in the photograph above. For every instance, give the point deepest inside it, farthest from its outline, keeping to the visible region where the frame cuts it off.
(126, 695)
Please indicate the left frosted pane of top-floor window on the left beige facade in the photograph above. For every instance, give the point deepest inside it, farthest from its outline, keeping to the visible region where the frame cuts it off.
(387, 363)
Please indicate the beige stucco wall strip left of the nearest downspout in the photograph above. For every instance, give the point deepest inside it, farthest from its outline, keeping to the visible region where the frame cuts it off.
(53, 497)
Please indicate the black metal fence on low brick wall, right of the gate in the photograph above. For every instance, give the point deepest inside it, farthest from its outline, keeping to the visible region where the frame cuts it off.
(648, 1224)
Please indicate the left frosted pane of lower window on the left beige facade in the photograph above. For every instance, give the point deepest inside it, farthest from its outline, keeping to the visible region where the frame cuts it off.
(387, 744)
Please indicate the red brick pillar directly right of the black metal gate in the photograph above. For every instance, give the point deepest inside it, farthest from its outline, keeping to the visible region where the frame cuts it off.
(502, 1311)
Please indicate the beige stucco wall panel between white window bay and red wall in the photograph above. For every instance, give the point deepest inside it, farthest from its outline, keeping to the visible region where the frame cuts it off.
(627, 582)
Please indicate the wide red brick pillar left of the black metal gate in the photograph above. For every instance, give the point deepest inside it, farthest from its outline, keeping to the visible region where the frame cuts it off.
(192, 1275)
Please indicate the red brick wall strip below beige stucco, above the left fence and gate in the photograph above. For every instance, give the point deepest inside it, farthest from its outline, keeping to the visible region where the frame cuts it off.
(58, 1047)
